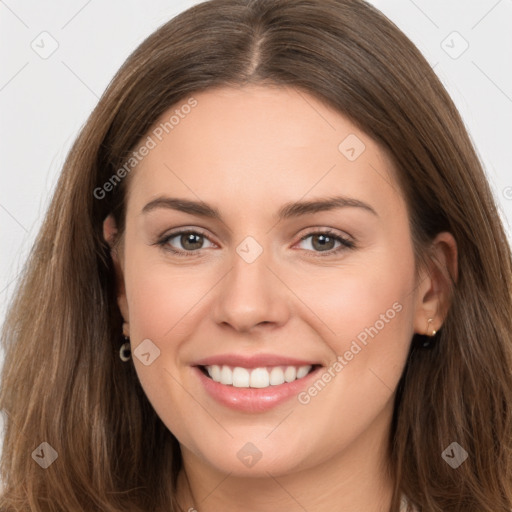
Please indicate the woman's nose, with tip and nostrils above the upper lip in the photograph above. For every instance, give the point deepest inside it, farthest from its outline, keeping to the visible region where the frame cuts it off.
(252, 295)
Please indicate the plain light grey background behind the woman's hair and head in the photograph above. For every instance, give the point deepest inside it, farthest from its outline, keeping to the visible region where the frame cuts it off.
(44, 99)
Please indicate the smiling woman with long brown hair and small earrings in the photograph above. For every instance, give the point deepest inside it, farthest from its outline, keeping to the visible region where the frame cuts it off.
(337, 335)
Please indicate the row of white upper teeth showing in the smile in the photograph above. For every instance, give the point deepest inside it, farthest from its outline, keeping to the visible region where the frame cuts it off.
(257, 377)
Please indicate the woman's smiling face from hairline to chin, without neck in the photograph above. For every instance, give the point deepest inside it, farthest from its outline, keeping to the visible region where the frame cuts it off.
(298, 258)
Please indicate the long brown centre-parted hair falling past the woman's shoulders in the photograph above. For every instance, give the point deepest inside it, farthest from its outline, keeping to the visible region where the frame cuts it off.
(63, 382)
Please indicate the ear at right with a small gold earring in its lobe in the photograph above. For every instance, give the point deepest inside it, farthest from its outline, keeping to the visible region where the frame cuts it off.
(434, 291)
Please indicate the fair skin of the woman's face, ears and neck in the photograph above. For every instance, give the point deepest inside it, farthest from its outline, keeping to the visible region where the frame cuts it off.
(247, 151)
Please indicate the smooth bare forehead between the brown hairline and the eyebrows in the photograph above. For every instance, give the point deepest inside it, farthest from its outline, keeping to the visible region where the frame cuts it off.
(257, 144)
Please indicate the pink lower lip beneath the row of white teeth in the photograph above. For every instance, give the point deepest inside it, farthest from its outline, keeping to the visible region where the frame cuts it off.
(254, 399)
